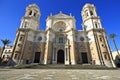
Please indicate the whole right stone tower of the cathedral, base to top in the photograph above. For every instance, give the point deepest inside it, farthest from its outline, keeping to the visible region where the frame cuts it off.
(99, 48)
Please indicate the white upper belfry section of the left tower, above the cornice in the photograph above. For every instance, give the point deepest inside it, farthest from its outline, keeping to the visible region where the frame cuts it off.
(31, 18)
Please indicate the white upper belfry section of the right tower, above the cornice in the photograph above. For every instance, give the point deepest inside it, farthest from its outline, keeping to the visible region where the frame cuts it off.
(90, 18)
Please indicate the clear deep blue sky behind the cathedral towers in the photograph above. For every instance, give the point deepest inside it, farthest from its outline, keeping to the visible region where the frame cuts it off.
(11, 12)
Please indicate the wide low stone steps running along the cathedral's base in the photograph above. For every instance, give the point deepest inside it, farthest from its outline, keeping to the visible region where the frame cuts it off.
(59, 66)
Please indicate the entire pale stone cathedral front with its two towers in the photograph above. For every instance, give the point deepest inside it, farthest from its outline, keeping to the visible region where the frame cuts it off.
(61, 43)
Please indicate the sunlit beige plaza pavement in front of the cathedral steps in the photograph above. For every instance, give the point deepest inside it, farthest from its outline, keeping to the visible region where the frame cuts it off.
(58, 74)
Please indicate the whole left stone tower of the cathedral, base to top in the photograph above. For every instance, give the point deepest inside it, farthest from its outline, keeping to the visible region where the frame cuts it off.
(29, 22)
